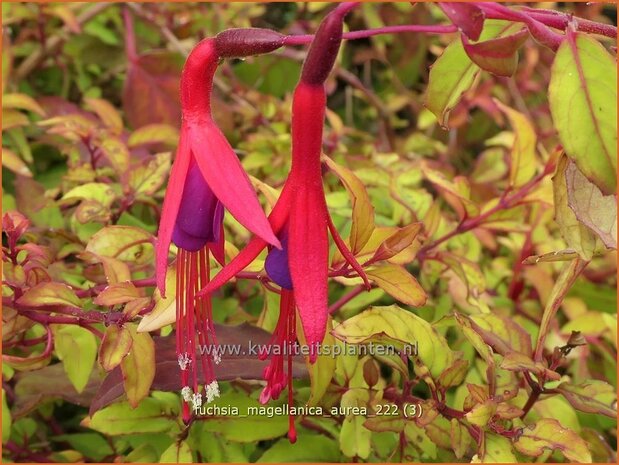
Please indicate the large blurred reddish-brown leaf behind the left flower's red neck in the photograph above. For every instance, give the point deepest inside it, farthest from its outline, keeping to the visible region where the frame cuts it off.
(151, 90)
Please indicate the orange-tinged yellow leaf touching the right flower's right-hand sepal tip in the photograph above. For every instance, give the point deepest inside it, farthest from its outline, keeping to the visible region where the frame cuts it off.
(396, 281)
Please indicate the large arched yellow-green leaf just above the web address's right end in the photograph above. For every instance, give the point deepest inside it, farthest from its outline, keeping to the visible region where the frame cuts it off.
(398, 325)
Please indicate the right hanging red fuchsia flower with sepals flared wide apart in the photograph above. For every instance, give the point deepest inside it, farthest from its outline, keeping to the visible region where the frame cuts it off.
(301, 220)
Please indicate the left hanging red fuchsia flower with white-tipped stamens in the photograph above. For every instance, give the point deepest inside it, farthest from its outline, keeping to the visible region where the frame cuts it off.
(206, 178)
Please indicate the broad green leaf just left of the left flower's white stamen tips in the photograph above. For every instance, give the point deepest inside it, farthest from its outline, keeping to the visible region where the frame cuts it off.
(149, 416)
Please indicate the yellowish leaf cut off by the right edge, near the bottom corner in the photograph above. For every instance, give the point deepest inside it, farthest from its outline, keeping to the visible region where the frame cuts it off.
(592, 397)
